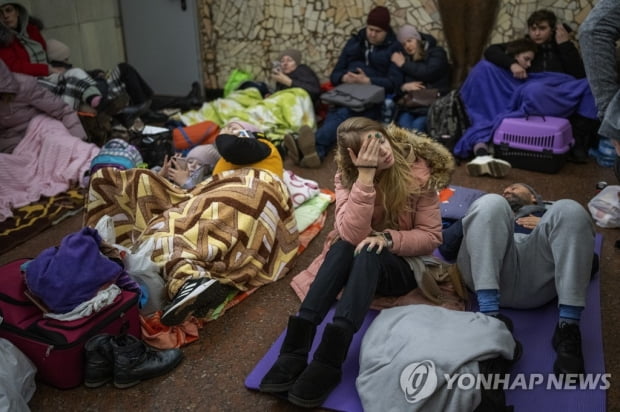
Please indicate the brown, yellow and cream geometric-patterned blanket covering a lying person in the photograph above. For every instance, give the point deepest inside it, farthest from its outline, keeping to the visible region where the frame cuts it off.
(237, 227)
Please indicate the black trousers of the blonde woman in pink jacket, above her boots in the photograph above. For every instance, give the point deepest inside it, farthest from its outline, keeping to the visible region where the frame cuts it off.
(361, 276)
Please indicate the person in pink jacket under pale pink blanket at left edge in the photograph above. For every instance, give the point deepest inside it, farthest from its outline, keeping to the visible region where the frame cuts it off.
(42, 152)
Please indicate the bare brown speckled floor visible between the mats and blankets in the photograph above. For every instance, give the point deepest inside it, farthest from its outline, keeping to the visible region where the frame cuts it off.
(211, 378)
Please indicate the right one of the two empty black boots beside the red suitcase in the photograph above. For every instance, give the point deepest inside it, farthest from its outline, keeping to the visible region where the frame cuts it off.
(134, 361)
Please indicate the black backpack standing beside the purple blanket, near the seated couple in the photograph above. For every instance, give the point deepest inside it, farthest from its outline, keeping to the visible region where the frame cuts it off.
(448, 119)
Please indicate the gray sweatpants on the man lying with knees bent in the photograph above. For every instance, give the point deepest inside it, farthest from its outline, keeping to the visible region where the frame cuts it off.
(555, 259)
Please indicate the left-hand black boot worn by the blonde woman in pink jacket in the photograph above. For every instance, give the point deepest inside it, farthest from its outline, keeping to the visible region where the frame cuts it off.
(293, 357)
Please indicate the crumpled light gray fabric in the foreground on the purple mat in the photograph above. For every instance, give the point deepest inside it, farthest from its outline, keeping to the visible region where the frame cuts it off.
(411, 354)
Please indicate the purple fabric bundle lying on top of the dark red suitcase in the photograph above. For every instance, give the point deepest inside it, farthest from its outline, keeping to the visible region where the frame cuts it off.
(65, 276)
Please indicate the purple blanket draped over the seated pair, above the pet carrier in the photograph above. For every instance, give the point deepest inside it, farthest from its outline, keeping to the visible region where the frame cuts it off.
(490, 94)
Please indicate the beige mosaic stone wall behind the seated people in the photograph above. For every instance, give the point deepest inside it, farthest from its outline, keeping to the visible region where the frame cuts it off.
(250, 34)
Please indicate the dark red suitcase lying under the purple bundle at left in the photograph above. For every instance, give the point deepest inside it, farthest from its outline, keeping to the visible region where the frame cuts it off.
(57, 347)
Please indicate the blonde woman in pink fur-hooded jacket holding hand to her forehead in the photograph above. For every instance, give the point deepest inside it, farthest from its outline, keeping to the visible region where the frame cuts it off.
(387, 212)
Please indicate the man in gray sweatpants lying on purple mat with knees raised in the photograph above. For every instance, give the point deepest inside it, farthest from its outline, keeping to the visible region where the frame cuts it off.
(514, 251)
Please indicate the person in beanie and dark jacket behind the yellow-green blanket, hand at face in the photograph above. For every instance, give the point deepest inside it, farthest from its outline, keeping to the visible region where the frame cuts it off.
(291, 72)
